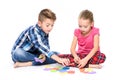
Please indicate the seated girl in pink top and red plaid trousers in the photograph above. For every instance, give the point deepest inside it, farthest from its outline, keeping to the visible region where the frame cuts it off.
(87, 38)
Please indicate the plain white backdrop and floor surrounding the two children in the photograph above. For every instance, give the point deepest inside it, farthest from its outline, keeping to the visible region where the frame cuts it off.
(16, 15)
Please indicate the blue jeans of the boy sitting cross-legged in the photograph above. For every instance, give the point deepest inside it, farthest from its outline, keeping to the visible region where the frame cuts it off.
(20, 55)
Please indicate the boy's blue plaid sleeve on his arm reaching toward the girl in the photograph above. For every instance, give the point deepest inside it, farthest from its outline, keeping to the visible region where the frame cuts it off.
(36, 40)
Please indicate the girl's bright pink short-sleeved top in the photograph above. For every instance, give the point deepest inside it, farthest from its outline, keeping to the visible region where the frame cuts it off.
(86, 43)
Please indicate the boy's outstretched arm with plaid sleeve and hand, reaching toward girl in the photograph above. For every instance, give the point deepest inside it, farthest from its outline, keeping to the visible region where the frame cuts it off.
(36, 39)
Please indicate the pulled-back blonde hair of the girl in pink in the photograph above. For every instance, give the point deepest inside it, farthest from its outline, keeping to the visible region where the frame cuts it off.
(86, 14)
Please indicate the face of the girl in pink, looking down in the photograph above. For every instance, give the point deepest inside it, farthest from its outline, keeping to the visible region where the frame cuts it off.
(85, 26)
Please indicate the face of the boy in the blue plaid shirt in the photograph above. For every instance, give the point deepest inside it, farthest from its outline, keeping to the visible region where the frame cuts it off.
(46, 25)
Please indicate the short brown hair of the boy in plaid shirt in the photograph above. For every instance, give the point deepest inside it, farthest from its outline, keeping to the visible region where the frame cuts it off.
(46, 13)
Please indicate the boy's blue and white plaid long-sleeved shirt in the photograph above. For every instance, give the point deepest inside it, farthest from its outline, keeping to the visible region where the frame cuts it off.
(34, 38)
